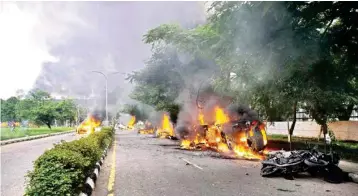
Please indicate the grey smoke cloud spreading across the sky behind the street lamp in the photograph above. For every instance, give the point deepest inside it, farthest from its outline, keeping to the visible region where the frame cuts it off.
(102, 36)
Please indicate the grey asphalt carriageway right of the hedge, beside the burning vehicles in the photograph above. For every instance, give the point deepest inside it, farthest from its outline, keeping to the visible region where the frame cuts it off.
(148, 166)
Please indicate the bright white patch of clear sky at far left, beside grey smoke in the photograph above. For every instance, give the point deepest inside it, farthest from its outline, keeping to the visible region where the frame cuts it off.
(21, 54)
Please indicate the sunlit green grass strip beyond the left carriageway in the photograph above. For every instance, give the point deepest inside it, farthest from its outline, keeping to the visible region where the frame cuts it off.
(6, 133)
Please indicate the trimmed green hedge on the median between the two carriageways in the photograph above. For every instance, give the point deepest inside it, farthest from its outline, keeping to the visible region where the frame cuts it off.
(63, 169)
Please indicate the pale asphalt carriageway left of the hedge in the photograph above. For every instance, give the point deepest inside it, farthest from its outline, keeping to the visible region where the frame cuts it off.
(17, 158)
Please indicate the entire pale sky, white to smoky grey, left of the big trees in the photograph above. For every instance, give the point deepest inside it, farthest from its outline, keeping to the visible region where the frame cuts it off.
(56, 51)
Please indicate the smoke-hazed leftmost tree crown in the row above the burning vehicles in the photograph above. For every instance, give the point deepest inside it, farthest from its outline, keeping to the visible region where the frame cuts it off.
(165, 76)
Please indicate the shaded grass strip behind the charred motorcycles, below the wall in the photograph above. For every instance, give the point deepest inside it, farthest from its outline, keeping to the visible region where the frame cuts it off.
(346, 149)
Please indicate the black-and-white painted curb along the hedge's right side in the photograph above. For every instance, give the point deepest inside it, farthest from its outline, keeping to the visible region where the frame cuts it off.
(91, 180)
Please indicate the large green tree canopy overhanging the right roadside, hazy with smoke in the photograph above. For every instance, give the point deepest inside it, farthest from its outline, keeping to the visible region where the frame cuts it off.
(274, 56)
